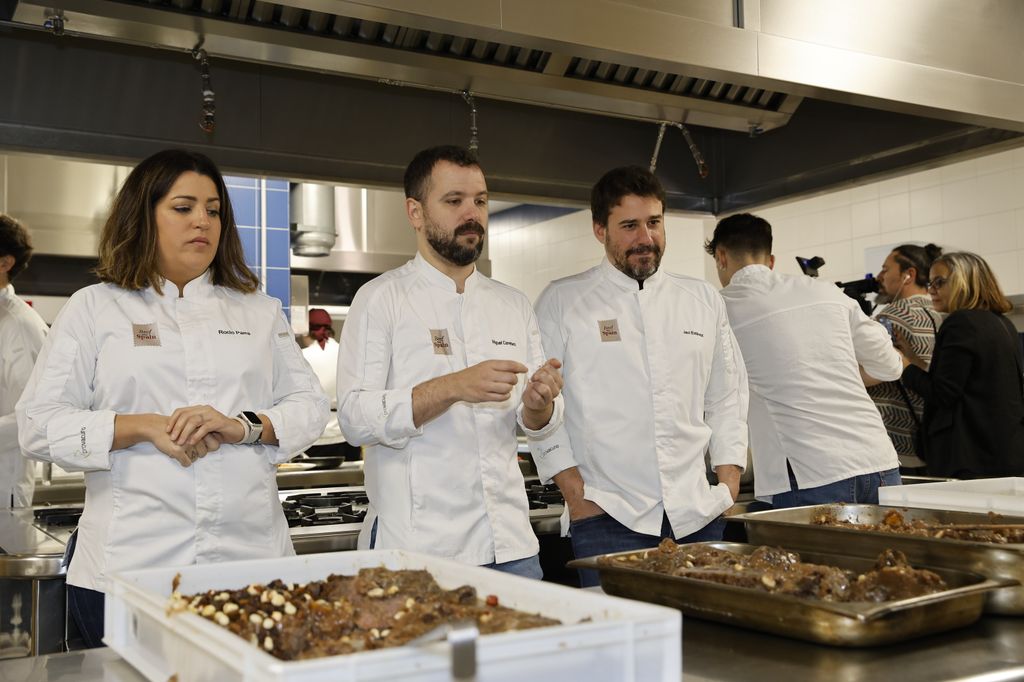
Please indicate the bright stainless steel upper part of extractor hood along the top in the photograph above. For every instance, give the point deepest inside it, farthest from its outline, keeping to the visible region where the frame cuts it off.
(736, 65)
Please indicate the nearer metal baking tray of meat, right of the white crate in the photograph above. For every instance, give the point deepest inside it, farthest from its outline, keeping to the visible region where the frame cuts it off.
(849, 624)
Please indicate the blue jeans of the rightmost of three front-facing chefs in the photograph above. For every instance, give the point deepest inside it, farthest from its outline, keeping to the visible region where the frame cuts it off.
(604, 535)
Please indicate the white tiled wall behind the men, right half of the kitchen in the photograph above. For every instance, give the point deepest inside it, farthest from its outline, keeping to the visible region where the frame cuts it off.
(976, 205)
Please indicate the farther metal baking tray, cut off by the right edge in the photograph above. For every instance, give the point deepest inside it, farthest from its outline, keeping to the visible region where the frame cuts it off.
(794, 529)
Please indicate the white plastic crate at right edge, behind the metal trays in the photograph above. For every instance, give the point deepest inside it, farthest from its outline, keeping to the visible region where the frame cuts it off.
(1004, 496)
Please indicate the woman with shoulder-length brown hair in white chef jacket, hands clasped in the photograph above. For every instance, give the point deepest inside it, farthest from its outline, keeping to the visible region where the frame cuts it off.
(175, 386)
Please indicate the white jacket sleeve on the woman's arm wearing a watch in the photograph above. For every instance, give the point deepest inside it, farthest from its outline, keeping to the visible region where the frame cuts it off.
(302, 410)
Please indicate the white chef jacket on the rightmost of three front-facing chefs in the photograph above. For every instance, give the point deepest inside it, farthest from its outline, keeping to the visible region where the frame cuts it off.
(654, 379)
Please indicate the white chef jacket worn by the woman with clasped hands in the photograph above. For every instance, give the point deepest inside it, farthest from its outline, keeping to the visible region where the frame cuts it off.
(116, 352)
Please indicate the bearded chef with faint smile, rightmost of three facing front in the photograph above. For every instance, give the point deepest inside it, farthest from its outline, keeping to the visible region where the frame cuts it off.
(654, 379)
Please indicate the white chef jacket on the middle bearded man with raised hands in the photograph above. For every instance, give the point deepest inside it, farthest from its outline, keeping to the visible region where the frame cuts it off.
(453, 487)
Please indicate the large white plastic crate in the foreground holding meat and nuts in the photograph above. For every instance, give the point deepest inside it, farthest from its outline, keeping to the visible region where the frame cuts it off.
(624, 642)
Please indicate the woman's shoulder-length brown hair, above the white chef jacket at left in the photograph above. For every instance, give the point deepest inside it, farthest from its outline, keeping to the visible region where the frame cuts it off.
(129, 243)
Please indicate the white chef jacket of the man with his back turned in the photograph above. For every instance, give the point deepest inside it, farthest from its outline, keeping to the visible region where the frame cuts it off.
(802, 340)
